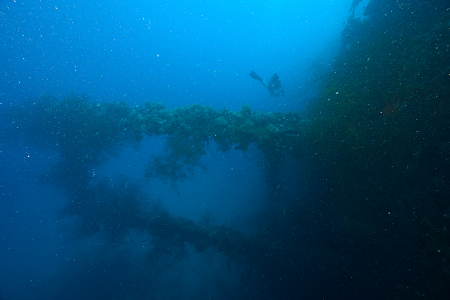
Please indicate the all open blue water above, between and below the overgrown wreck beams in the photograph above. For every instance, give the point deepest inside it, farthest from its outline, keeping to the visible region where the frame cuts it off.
(175, 52)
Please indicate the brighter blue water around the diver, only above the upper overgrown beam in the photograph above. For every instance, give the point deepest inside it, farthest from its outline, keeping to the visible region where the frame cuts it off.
(176, 52)
